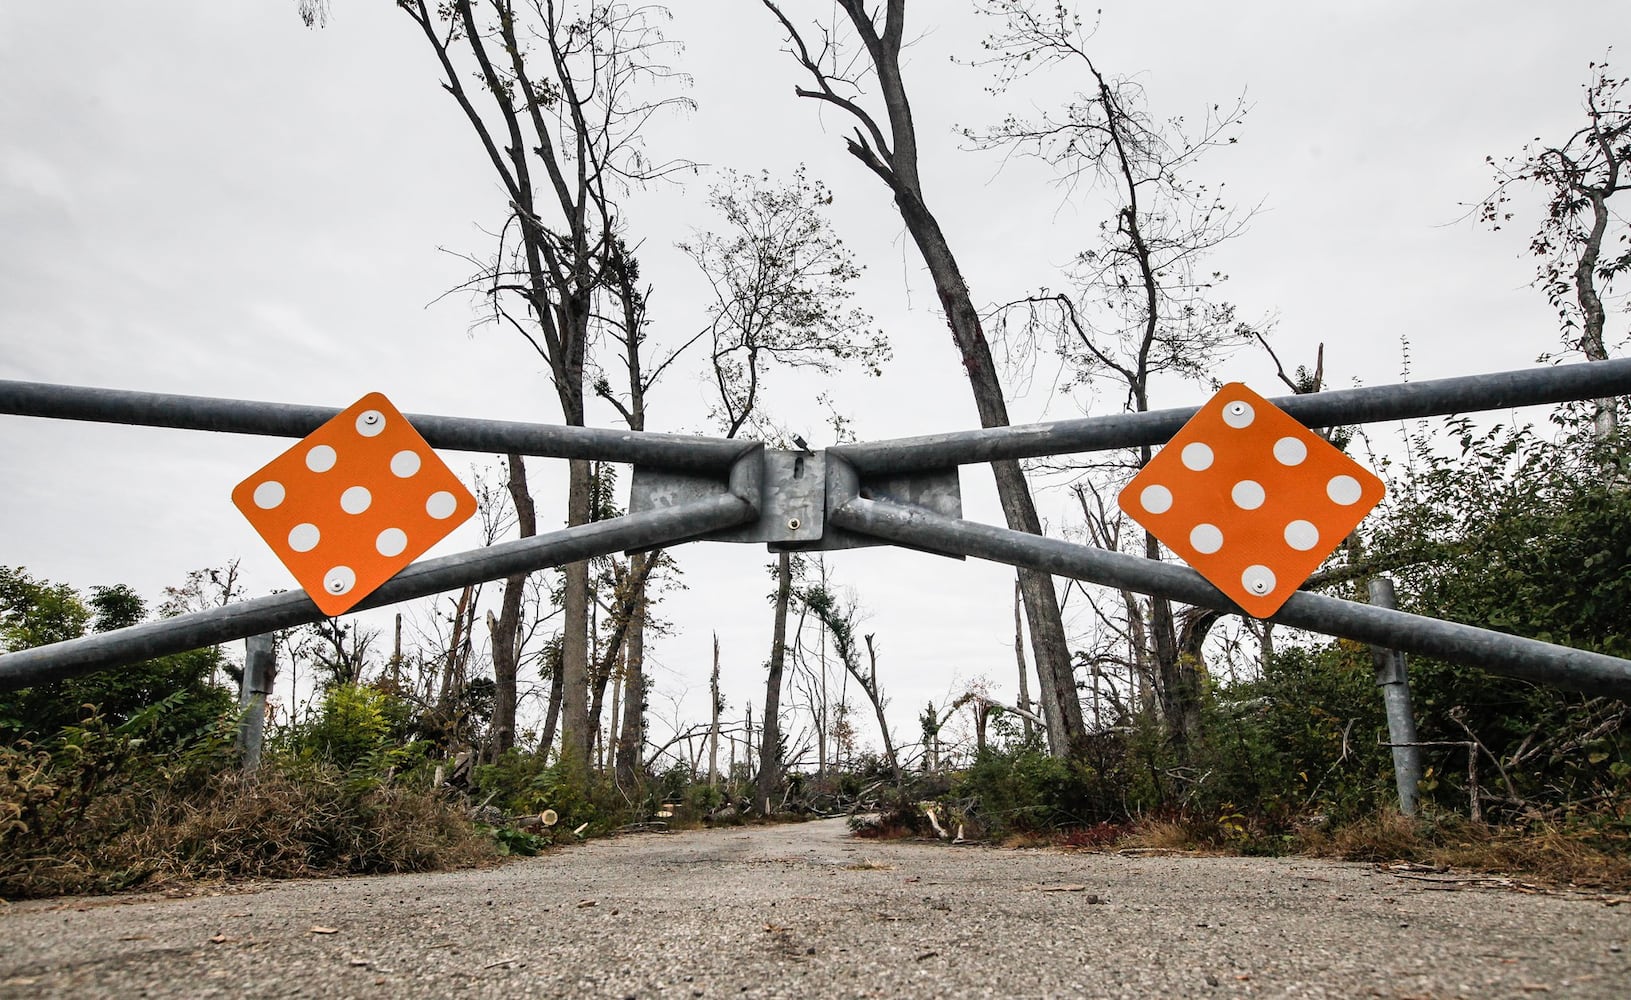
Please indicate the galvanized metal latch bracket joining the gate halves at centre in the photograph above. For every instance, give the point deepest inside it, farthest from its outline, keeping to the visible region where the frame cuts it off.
(795, 493)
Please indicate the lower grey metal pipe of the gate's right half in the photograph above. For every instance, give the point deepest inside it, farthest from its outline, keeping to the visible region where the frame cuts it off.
(1495, 652)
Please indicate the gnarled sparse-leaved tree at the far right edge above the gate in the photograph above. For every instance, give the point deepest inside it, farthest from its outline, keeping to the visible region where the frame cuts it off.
(1578, 180)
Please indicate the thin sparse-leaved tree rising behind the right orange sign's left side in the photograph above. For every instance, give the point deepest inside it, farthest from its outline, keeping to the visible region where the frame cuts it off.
(1144, 309)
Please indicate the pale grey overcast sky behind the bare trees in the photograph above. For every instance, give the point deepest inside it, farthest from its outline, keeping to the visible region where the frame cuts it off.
(208, 198)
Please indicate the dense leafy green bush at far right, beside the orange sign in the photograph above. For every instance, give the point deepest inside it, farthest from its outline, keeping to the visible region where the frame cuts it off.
(1518, 534)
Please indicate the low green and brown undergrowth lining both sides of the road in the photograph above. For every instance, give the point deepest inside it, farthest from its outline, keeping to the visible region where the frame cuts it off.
(130, 779)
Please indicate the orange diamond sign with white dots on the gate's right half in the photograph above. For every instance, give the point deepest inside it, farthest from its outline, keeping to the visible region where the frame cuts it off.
(1253, 500)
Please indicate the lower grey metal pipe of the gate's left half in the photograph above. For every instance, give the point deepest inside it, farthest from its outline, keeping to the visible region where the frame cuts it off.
(435, 577)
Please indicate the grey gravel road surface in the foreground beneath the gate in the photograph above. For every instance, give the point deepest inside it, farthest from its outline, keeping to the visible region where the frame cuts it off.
(803, 911)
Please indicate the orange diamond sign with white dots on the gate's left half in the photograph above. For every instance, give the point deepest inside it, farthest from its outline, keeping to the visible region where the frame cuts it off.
(355, 503)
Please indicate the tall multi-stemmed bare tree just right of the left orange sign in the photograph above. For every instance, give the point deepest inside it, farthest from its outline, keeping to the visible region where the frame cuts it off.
(562, 94)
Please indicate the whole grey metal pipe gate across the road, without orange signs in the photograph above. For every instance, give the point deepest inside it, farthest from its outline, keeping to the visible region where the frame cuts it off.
(898, 492)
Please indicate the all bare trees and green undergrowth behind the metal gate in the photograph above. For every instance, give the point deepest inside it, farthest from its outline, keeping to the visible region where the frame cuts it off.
(521, 717)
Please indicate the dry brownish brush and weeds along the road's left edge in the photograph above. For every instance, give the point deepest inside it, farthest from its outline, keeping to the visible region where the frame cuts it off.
(100, 808)
